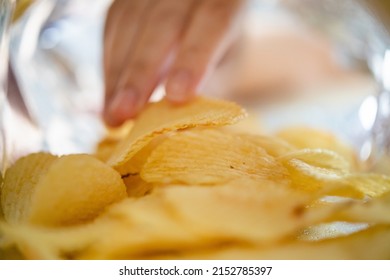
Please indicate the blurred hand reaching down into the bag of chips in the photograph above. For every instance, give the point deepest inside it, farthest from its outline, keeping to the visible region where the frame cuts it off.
(146, 42)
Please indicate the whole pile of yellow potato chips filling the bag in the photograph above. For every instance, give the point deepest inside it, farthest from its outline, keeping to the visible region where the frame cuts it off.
(188, 182)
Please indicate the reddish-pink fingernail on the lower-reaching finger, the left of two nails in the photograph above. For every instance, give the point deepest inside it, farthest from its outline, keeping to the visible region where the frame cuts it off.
(124, 106)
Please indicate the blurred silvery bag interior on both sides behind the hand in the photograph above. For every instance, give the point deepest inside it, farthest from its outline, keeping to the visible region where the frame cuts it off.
(322, 63)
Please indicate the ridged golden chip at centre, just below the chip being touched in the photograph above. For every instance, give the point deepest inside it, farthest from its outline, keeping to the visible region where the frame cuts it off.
(208, 157)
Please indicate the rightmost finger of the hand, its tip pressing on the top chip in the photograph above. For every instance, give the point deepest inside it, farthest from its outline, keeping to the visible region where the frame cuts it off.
(200, 47)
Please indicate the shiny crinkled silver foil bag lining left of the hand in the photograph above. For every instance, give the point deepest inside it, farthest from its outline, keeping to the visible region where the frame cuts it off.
(55, 87)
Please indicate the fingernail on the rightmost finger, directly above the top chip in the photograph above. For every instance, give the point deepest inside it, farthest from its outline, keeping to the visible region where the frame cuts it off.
(178, 86)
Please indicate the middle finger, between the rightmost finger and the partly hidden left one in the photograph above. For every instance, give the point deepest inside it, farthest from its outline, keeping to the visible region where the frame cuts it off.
(164, 23)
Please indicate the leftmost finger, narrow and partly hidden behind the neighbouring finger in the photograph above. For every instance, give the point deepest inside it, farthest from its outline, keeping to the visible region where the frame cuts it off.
(121, 27)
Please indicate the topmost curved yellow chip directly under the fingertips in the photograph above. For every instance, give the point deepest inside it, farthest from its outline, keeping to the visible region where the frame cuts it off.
(161, 117)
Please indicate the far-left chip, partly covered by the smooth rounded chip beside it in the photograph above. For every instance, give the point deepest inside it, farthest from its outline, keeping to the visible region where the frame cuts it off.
(19, 184)
